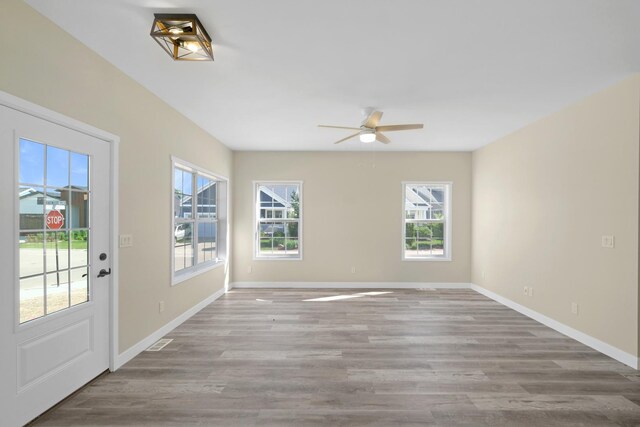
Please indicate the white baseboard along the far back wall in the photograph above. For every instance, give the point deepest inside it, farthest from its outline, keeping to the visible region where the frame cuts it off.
(351, 285)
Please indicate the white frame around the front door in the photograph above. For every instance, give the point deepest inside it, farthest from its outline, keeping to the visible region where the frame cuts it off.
(43, 113)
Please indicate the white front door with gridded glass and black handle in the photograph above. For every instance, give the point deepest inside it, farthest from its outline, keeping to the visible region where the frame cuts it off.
(54, 241)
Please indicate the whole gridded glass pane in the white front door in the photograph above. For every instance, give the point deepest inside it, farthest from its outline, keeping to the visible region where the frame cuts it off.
(54, 197)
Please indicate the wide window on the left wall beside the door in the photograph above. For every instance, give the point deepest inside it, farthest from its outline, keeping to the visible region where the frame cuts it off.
(199, 220)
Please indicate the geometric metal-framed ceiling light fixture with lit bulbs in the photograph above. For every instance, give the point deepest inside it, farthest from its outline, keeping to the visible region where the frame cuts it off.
(182, 36)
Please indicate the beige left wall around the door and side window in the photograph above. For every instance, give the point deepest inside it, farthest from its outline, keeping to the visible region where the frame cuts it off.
(45, 65)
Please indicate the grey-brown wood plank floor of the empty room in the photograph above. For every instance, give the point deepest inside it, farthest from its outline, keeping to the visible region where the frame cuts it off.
(375, 358)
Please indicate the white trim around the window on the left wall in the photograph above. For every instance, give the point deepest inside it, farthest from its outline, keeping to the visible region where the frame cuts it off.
(222, 215)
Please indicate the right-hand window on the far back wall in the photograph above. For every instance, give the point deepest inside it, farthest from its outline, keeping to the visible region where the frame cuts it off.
(426, 224)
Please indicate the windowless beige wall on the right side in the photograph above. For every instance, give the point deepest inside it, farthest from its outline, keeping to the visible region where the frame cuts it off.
(542, 199)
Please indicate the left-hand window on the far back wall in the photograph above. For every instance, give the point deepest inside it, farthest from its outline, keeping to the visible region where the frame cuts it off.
(278, 220)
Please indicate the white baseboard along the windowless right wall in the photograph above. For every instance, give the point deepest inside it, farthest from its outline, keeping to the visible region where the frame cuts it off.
(588, 340)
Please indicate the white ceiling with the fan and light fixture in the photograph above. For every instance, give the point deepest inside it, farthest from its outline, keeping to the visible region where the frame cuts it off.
(471, 71)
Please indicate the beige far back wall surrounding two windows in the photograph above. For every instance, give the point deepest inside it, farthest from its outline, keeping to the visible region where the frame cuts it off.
(352, 215)
